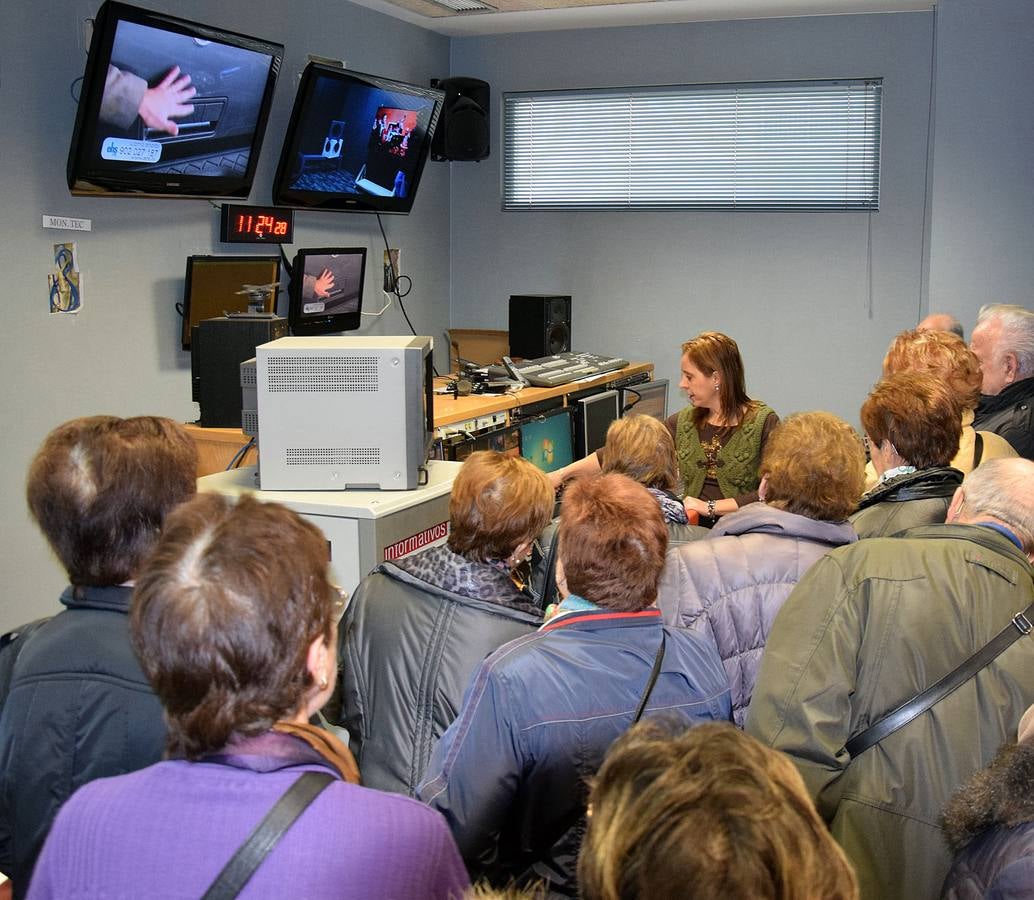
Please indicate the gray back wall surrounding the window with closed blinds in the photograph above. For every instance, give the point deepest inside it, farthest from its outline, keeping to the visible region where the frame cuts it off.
(793, 289)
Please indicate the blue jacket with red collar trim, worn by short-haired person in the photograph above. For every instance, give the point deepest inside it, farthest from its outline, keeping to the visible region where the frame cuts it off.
(538, 718)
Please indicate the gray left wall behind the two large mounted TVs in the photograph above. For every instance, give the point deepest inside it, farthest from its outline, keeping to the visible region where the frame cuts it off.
(120, 354)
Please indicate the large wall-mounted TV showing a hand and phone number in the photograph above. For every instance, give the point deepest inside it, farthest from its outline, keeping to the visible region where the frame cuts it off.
(170, 108)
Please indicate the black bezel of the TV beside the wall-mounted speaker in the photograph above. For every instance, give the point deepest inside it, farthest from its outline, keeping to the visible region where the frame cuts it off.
(284, 195)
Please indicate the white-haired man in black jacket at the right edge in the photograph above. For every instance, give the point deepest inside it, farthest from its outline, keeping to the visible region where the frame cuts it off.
(1003, 342)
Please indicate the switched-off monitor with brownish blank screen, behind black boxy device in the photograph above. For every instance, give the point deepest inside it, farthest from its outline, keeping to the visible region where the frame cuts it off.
(215, 286)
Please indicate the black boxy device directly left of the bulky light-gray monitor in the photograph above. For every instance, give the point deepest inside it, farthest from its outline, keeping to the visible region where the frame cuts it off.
(218, 349)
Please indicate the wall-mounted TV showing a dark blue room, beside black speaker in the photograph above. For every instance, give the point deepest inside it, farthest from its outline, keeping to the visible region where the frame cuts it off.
(356, 142)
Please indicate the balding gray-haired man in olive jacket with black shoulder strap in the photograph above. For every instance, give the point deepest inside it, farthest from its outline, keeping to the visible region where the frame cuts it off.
(870, 627)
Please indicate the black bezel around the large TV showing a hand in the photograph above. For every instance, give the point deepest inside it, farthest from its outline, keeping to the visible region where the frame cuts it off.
(85, 179)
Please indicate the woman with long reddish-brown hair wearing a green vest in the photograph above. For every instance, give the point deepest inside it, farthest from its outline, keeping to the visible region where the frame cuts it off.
(719, 439)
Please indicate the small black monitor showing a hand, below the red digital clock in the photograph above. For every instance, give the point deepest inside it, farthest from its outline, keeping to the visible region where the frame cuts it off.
(327, 291)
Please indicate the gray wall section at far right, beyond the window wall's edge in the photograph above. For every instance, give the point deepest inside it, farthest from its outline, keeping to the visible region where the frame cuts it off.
(983, 224)
